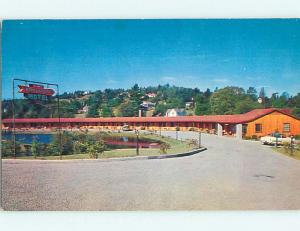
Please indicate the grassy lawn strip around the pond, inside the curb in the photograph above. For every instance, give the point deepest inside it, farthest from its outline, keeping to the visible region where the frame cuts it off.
(176, 146)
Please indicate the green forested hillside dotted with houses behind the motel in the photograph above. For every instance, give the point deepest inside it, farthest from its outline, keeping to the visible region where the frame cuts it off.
(121, 102)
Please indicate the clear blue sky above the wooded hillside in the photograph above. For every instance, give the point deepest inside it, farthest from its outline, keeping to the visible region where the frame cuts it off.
(99, 54)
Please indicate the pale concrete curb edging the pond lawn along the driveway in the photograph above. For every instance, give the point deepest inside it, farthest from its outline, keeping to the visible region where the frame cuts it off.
(166, 156)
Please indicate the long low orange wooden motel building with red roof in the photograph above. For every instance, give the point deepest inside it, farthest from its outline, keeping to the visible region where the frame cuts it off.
(258, 122)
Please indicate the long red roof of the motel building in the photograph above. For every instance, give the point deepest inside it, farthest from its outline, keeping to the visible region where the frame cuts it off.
(237, 118)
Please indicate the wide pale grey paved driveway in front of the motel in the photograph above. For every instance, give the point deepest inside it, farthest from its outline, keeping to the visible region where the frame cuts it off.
(231, 174)
